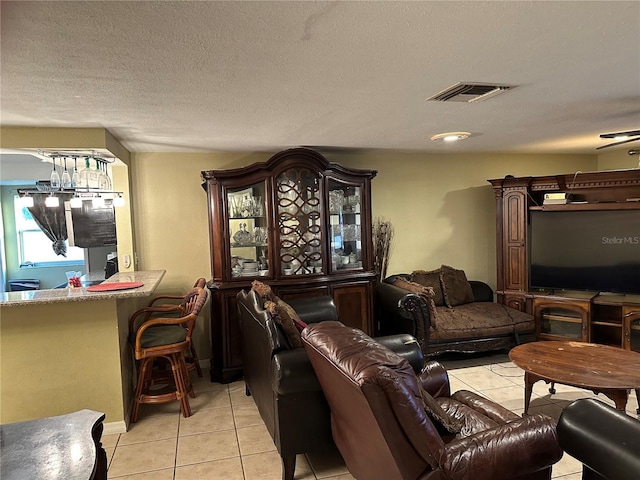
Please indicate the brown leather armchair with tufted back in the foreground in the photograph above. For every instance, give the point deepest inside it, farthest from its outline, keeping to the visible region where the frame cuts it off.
(382, 430)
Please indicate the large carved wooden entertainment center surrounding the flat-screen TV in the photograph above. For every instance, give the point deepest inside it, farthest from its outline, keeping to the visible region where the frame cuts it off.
(564, 315)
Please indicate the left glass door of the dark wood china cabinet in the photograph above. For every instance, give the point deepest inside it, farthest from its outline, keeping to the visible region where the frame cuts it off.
(249, 242)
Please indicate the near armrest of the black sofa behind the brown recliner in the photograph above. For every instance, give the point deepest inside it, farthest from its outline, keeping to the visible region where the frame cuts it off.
(292, 372)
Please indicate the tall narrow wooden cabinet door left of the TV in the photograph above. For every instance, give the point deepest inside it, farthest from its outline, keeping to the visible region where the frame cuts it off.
(515, 245)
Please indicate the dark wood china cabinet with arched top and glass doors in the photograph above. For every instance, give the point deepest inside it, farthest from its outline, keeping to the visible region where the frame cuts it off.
(298, 223)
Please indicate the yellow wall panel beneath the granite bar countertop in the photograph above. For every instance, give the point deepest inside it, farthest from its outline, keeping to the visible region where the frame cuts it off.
(51, 353)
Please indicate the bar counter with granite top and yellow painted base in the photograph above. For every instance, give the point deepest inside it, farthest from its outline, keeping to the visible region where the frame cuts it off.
(65, 350)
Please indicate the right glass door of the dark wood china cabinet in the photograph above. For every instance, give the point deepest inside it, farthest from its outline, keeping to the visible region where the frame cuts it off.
(345, 226)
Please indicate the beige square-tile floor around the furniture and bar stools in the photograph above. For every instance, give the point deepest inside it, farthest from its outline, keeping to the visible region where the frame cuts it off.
(225, 437)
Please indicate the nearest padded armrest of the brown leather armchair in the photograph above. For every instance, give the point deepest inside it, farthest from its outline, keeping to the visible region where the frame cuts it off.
(512, 450)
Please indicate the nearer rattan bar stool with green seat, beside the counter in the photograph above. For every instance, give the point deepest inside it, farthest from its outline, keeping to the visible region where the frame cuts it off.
(168, 338)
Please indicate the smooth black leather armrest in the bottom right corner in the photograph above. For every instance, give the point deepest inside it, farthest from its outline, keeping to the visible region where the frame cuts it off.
(604, 439)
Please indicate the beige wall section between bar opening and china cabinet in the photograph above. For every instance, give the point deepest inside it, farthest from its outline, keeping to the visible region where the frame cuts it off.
(171, 221)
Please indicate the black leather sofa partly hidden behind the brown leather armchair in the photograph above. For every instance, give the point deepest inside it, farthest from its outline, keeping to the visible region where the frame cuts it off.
(281, 379)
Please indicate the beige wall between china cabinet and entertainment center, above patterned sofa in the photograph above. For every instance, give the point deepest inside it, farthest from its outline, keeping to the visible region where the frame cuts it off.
(443, 209)
